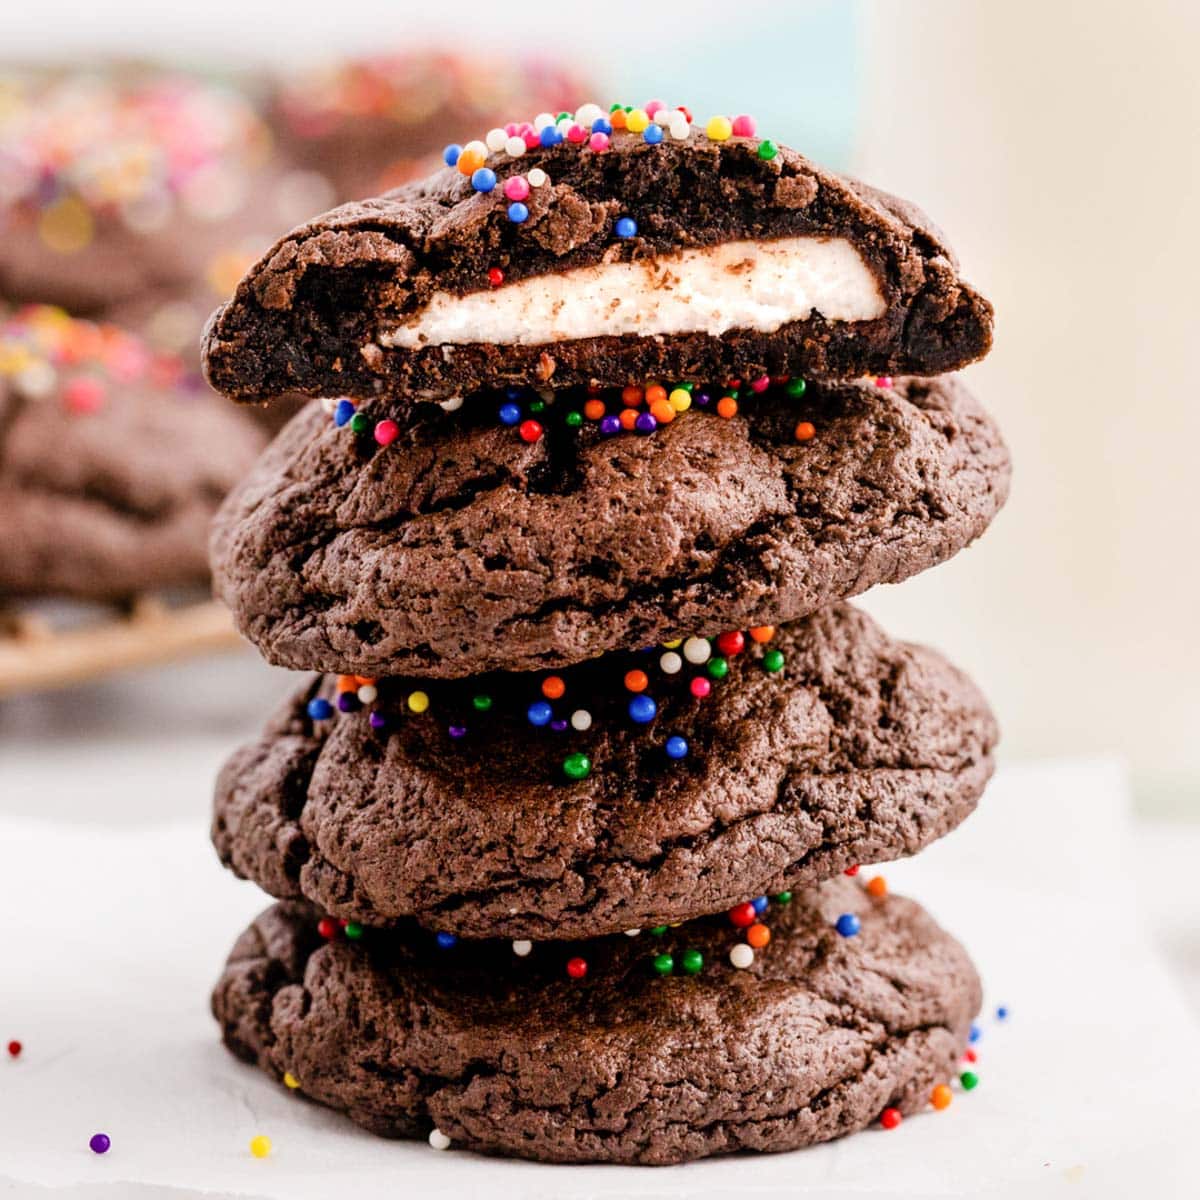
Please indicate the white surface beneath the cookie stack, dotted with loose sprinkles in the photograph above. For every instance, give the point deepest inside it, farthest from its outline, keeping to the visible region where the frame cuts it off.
(118, 919)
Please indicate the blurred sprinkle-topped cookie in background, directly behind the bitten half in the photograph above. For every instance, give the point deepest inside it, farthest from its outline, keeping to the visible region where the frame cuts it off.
(371, 124)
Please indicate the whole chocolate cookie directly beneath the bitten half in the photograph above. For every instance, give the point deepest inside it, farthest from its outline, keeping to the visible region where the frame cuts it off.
(464, 548)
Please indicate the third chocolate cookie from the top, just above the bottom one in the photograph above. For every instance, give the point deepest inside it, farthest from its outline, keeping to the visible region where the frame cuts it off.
(634, 790)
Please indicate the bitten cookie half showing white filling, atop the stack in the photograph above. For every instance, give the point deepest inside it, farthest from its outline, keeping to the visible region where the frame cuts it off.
(603, 249)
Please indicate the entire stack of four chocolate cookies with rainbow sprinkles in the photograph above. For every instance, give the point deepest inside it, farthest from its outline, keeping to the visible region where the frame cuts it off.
(566, 836)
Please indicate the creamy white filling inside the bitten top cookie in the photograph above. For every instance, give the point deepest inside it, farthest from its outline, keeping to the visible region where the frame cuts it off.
(736, 285)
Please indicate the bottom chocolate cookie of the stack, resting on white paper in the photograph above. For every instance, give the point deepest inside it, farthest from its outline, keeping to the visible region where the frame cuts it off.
(655, 1049)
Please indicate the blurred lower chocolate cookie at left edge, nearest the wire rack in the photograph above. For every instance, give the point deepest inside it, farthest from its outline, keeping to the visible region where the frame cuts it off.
(112, 463)
